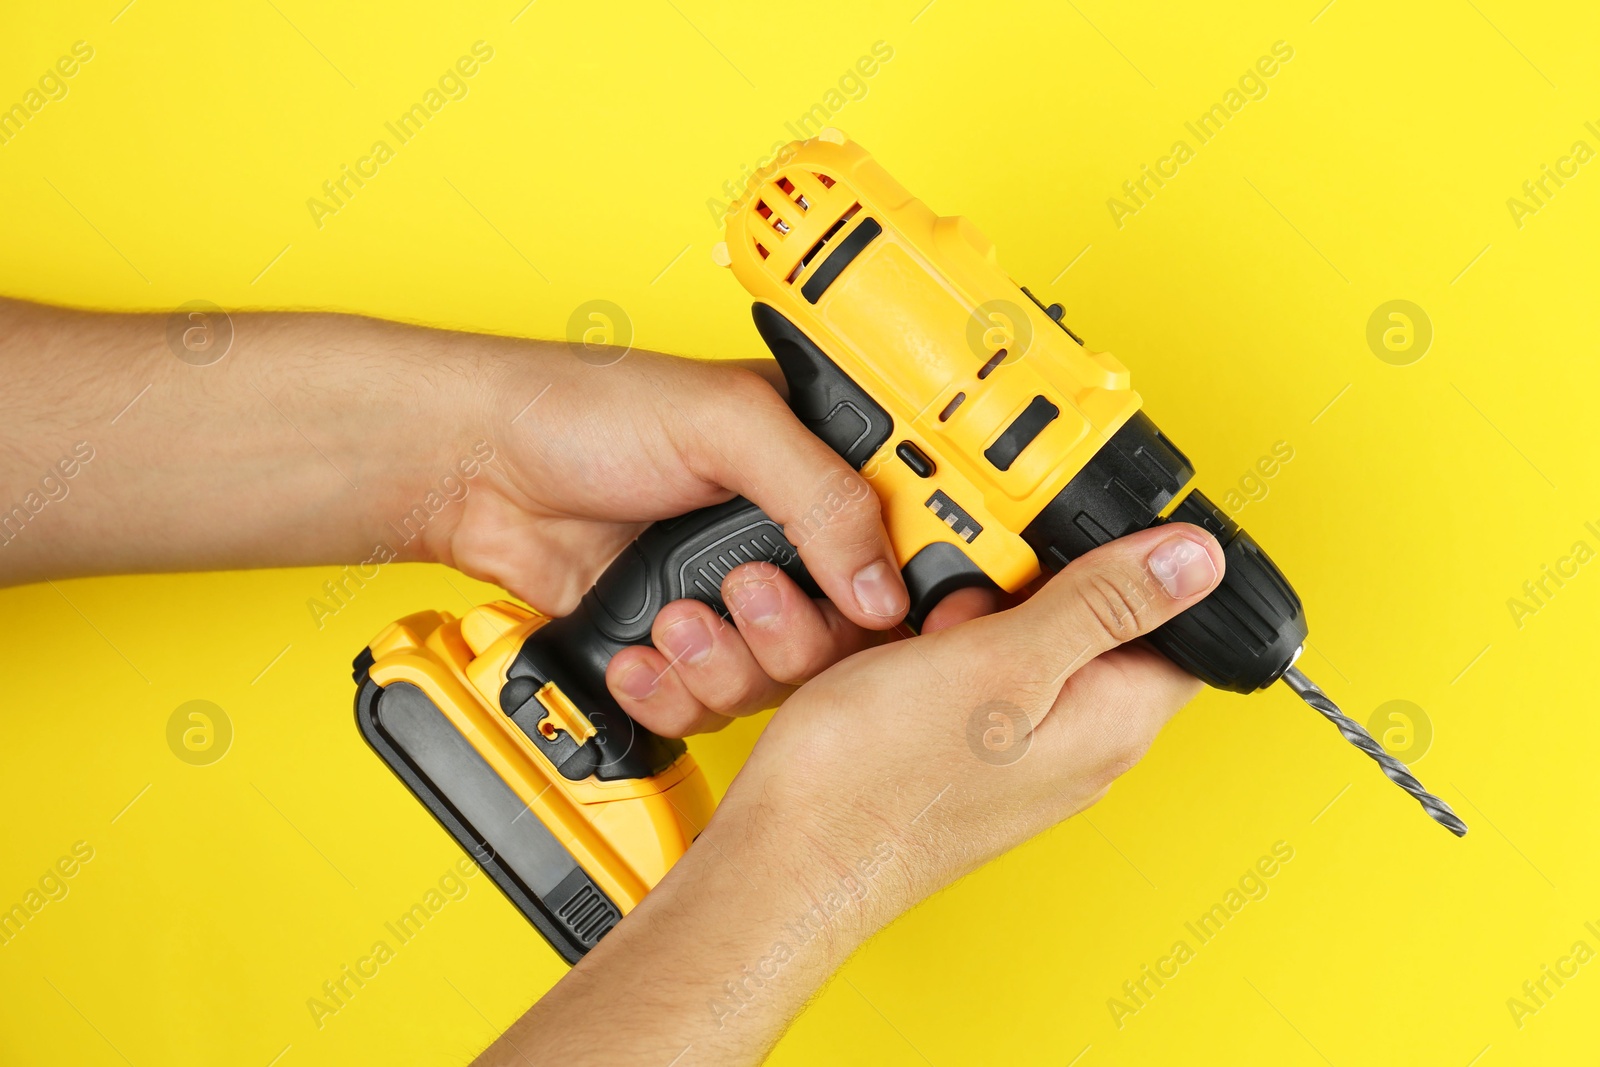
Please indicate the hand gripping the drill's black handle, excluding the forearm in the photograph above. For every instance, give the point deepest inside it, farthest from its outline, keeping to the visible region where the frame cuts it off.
(602, 450)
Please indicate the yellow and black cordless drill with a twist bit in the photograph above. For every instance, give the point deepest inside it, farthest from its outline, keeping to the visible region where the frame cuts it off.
(998, 446)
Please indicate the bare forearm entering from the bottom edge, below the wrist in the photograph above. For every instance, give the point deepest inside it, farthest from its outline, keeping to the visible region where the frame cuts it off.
(719, 959)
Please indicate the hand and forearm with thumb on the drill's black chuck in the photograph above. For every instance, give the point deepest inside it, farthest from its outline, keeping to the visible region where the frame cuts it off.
(884, 780)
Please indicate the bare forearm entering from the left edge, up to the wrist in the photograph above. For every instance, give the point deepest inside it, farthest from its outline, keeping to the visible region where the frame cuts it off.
(119, 457)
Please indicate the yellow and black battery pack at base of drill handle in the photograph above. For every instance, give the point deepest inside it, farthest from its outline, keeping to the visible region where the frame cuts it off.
(574, 815)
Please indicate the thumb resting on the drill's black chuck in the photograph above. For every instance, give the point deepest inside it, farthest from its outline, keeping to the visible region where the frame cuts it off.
(1121, 591)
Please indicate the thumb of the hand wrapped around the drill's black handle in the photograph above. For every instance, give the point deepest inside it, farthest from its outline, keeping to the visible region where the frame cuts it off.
(828, 511)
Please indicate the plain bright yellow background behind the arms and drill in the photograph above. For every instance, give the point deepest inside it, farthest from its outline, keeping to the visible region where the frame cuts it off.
(1377, 169)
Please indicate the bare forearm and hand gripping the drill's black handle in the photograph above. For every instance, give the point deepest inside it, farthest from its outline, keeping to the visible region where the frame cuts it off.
(332, 439)
